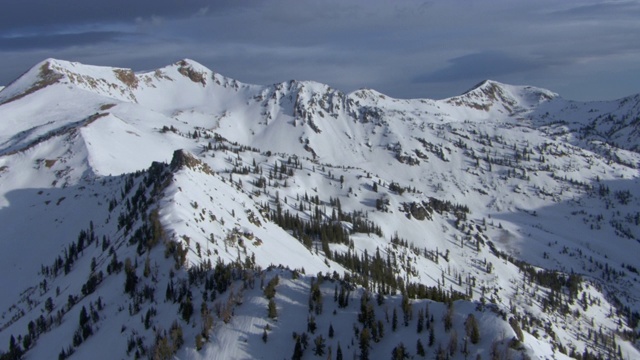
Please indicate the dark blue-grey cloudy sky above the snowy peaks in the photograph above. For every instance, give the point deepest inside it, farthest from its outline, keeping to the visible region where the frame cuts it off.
(584, 50)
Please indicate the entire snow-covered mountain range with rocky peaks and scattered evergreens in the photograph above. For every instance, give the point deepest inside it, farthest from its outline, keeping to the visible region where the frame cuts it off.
(180, 213)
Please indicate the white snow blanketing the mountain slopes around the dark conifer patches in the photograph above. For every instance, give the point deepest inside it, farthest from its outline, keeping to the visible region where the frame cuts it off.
(528, 164)
